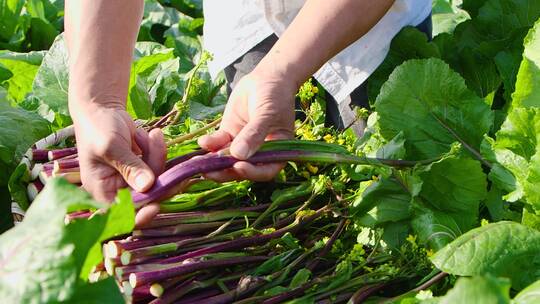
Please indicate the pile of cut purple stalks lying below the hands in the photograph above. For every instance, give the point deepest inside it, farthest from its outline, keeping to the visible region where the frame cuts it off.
(243, 252)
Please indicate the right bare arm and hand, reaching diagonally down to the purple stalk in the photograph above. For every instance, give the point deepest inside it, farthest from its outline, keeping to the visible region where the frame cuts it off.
(261, 106)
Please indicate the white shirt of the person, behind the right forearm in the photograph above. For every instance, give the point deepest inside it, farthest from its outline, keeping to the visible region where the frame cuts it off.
(233, 27)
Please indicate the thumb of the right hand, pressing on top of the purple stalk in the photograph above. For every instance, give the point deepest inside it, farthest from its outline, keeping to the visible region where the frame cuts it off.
(250, 138)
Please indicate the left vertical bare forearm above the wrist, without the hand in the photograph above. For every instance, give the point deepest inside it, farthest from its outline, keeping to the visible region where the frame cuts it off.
(100, 35)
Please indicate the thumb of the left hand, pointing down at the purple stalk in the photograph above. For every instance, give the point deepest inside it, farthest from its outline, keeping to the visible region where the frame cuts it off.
(135, 172)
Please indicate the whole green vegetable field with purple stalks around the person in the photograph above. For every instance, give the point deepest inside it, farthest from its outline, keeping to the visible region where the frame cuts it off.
(438, 202)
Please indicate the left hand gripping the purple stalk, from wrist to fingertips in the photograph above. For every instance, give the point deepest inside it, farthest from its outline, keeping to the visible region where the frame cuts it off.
(113, 154)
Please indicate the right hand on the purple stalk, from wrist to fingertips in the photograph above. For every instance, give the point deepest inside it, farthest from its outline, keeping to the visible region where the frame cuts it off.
(261, 107)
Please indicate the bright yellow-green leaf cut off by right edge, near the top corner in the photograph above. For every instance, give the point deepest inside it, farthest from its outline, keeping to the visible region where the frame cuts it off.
(527, 93)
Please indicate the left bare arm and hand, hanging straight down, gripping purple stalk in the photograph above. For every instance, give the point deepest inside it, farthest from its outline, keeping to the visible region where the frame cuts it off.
(100, 48)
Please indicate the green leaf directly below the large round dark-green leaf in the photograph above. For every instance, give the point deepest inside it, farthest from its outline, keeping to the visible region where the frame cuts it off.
(448, 203)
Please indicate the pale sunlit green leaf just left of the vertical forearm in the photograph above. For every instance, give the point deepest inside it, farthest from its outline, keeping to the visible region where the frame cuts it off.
(51, 82)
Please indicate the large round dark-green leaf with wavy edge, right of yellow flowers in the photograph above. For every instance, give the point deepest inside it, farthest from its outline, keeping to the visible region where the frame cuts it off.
(431, 105)
